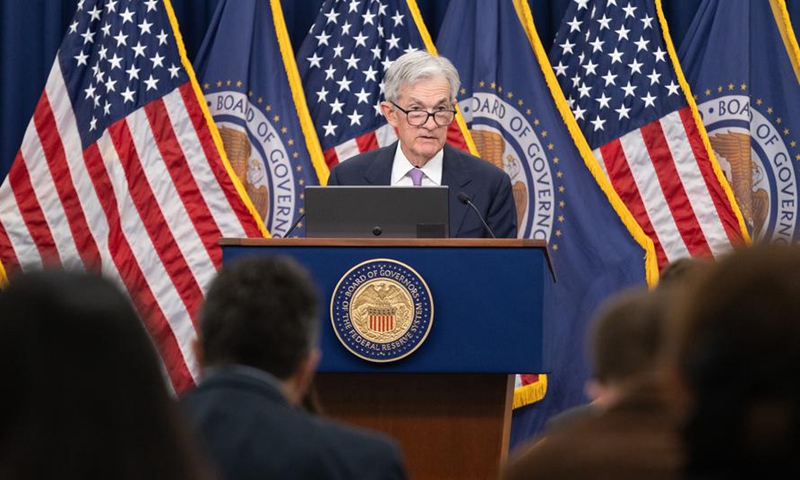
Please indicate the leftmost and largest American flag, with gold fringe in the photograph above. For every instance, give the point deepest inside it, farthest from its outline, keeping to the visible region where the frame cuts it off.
(119, 171)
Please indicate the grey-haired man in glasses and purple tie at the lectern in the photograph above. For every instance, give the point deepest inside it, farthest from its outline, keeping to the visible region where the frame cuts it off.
(420, 92)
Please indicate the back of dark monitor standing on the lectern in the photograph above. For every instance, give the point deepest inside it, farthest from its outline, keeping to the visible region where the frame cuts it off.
(376, 212)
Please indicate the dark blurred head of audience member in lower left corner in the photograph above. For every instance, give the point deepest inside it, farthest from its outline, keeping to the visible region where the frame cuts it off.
(84, 395)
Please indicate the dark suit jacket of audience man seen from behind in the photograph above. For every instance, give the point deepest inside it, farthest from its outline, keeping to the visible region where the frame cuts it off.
(251, 432)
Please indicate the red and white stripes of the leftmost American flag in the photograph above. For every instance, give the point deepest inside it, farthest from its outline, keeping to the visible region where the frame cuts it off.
(146, 203)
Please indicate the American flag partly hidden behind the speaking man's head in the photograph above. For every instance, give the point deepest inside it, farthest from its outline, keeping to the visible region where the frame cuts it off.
(342, 63)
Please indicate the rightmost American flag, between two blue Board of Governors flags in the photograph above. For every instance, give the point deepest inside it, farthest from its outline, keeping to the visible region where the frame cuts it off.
(612, 61)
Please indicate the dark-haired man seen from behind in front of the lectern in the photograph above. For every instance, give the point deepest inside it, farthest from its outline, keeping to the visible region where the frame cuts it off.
(257, 342)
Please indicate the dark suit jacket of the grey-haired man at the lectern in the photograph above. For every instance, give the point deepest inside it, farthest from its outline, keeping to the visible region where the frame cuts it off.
(488, 187)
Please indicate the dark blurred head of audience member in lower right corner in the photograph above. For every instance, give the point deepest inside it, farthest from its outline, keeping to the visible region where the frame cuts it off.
(738, 356)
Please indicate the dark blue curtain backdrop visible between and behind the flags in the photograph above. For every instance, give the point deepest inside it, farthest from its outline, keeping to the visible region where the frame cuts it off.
(31, 31)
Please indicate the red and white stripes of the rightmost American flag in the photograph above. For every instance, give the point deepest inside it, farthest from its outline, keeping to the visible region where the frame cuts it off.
(665, 163)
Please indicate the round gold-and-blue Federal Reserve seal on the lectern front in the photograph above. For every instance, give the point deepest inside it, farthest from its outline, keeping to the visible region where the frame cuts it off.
(382, 310)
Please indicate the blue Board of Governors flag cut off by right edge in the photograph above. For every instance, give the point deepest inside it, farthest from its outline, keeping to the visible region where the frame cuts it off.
(742, 62)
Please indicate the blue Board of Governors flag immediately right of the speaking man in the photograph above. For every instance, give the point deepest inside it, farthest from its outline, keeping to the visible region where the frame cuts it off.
(520, 121)
